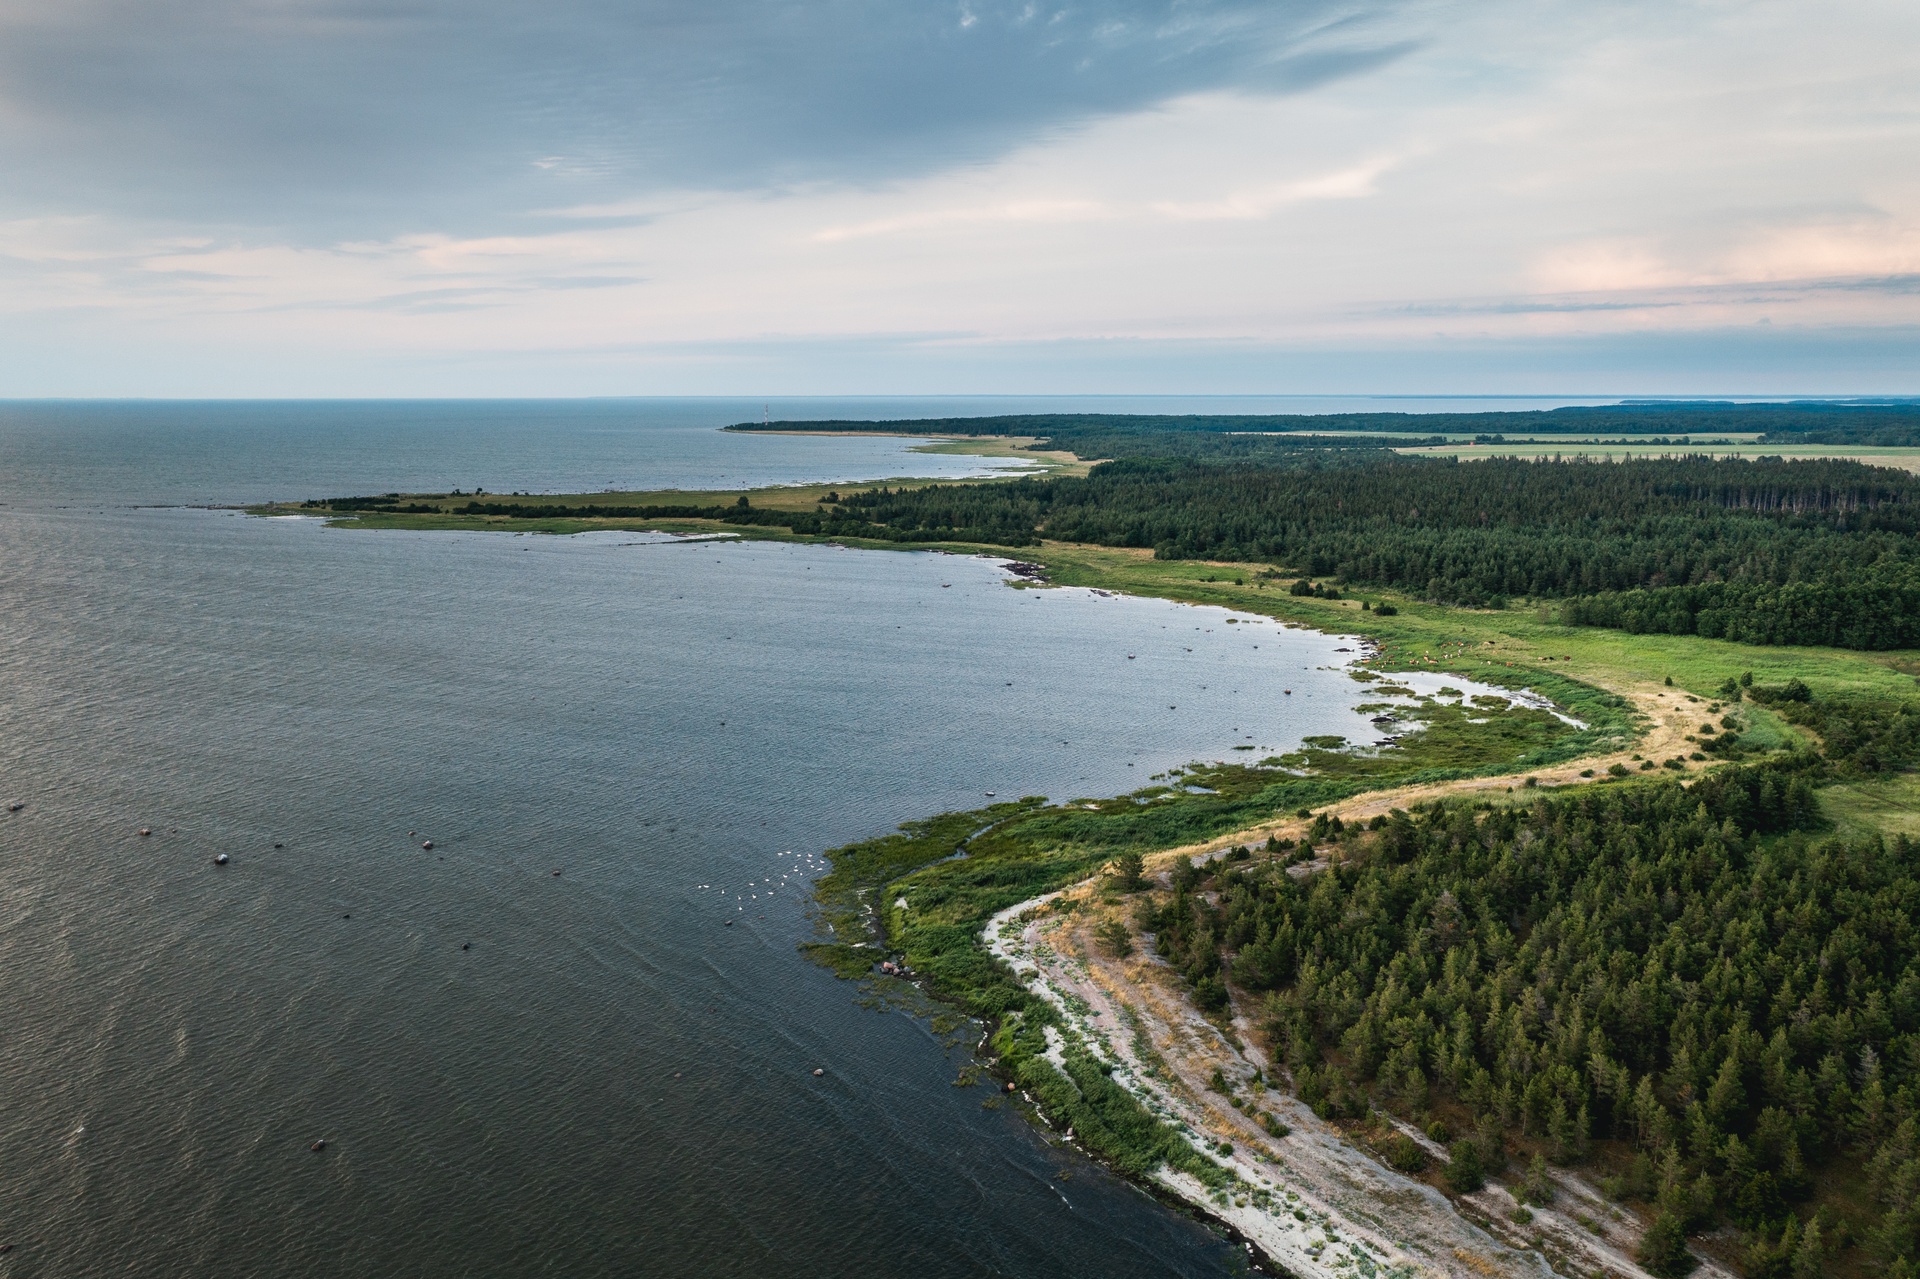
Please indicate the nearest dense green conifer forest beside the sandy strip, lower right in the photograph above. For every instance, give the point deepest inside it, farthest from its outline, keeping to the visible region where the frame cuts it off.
(1683, 975)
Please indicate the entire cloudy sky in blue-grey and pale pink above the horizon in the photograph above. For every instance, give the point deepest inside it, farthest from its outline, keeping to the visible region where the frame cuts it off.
(959, 197)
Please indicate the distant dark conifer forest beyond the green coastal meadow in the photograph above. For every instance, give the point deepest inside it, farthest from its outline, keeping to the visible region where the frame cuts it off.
(1760, 552)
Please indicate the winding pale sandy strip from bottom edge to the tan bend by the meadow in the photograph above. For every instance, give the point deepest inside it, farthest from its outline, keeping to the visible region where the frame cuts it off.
(1308, 1205)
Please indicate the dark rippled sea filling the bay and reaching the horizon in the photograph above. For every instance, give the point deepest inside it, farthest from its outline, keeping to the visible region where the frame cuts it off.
(516, 1071)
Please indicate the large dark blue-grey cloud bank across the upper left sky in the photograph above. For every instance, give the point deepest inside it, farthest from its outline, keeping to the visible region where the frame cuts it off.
(343, 118)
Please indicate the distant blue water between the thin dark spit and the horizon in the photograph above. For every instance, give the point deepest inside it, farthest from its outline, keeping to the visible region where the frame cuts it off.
(235, 452)
